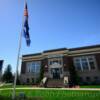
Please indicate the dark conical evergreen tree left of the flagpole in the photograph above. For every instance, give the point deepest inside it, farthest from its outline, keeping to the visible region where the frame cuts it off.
(8, 76)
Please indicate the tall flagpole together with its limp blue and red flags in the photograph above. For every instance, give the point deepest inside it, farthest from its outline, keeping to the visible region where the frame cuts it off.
(25, 30)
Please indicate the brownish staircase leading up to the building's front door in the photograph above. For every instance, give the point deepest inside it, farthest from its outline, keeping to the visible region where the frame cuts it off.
(55, 83)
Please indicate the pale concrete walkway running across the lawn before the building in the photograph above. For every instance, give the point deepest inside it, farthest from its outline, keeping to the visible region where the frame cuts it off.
(36, 88)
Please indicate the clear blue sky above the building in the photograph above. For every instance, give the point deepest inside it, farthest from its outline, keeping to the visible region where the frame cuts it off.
(53, 24)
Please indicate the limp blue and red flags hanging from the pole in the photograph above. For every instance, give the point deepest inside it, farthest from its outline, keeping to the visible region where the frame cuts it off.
(26, 26)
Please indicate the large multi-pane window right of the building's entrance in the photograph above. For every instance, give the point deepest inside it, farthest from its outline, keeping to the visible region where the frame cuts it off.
(85, 63)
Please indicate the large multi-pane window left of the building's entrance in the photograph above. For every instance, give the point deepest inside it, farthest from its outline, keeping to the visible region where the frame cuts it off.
(33, 66)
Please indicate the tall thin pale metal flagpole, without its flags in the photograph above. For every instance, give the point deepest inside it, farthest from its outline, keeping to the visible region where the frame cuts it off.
(17, 64)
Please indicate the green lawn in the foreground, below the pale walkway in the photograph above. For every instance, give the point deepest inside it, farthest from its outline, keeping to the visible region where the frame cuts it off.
(53, 94)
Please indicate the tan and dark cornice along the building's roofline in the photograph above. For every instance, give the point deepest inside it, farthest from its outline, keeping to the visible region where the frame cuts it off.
(63, 51)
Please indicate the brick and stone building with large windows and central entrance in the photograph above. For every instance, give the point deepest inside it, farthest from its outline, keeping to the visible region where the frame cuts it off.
(56, 65)
